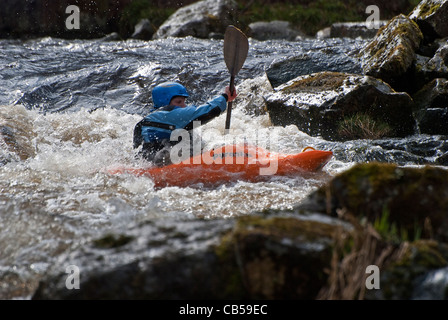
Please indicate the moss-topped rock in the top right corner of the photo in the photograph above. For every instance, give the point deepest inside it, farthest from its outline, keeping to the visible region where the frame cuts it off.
(431, 15)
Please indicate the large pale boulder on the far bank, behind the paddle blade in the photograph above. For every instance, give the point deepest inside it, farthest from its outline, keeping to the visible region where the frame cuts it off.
(199, 20)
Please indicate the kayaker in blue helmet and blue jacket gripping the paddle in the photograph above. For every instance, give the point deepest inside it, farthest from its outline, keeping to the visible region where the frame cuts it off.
(170, 113)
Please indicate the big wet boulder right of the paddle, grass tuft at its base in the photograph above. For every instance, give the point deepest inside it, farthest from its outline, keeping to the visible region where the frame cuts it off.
(320, 104)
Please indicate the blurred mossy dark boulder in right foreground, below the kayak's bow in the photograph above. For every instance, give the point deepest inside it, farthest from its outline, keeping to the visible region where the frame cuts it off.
(413, 201)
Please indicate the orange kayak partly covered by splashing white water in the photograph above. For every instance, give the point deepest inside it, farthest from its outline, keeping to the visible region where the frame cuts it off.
(231, 163)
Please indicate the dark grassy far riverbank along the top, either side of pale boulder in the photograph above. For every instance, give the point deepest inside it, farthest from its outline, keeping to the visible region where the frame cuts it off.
(24, 19)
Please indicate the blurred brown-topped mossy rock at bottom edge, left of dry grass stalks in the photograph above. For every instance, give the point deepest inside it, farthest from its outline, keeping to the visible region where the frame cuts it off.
(283, 257)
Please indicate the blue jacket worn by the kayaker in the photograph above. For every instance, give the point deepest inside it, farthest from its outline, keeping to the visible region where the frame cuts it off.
(156, 127)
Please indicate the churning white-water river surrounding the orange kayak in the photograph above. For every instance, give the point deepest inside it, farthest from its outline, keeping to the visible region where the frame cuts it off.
(67, 112)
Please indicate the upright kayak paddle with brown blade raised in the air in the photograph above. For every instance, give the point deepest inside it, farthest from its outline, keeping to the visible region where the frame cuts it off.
(236, 47)
